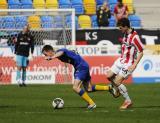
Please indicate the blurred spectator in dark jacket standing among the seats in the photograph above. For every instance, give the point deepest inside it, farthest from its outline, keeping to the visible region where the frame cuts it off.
(103, 14)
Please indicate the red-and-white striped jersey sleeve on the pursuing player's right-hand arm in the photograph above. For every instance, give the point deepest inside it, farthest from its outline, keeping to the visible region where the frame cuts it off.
(138, 44)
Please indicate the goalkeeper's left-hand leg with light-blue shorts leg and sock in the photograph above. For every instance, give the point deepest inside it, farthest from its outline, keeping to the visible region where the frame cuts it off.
(19, 67)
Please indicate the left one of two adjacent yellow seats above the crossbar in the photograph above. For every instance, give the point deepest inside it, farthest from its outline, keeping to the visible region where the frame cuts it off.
(39, 4)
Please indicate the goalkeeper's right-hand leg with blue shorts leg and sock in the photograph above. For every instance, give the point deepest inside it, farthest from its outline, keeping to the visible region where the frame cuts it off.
(25, 64)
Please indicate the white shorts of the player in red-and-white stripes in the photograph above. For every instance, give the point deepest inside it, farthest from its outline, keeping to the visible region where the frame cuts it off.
(121, 68)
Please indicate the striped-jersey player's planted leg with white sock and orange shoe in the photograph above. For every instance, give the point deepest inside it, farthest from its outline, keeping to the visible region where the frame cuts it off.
(123, 90)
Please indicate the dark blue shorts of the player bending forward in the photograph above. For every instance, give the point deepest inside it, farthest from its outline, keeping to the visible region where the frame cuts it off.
(82, 73)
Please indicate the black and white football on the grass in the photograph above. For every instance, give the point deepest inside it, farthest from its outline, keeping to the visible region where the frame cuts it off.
(58, 103)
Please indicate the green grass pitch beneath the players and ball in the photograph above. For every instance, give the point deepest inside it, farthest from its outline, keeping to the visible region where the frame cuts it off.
(32, 104)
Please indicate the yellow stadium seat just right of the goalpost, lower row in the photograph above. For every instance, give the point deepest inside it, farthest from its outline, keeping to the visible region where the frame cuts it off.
(84, 21)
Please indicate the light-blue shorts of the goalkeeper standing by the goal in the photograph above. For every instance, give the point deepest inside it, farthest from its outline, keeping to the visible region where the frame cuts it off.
(21, 61)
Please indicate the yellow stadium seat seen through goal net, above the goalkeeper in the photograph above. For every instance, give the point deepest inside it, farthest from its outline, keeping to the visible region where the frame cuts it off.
(34, 22)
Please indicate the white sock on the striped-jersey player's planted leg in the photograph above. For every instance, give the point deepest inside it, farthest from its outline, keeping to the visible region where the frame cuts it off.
(123, 90)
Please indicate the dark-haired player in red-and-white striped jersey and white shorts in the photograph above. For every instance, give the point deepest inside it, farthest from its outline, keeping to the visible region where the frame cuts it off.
(132, 52)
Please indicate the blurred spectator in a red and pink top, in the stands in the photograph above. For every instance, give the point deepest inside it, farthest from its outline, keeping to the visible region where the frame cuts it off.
(120, 11)
